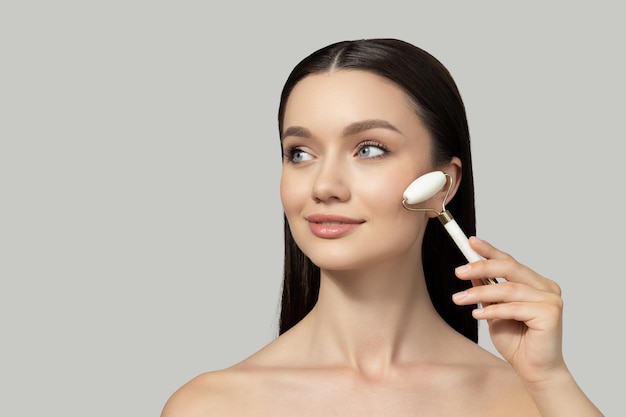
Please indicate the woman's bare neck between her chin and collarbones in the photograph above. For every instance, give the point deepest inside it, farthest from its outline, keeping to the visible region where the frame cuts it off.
(370, 320)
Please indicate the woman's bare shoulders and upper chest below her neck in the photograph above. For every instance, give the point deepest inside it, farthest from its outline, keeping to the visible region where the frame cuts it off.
(449, 376)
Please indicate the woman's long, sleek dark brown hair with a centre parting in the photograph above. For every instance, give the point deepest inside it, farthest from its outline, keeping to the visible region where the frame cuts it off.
(438, 104)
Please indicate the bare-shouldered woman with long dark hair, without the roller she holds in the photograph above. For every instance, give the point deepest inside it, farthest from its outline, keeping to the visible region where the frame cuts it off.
(375, 318)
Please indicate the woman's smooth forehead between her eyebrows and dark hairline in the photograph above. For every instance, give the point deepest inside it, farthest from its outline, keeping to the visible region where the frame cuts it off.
(346, 96)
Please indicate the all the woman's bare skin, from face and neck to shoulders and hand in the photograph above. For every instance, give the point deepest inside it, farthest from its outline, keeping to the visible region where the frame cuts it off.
(374, 345)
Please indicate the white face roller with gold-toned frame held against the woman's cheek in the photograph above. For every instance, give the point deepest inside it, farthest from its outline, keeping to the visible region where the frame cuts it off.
(424, 188)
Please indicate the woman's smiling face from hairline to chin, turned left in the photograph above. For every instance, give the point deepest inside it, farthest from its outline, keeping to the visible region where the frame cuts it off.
(352, 143)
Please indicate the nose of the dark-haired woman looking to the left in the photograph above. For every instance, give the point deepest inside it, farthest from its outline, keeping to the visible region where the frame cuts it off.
(330, 184)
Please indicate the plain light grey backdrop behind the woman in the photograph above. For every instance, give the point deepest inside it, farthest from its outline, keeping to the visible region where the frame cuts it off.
(140, 221)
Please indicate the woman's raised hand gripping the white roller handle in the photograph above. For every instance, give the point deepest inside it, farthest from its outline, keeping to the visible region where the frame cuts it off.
(524, 313)
